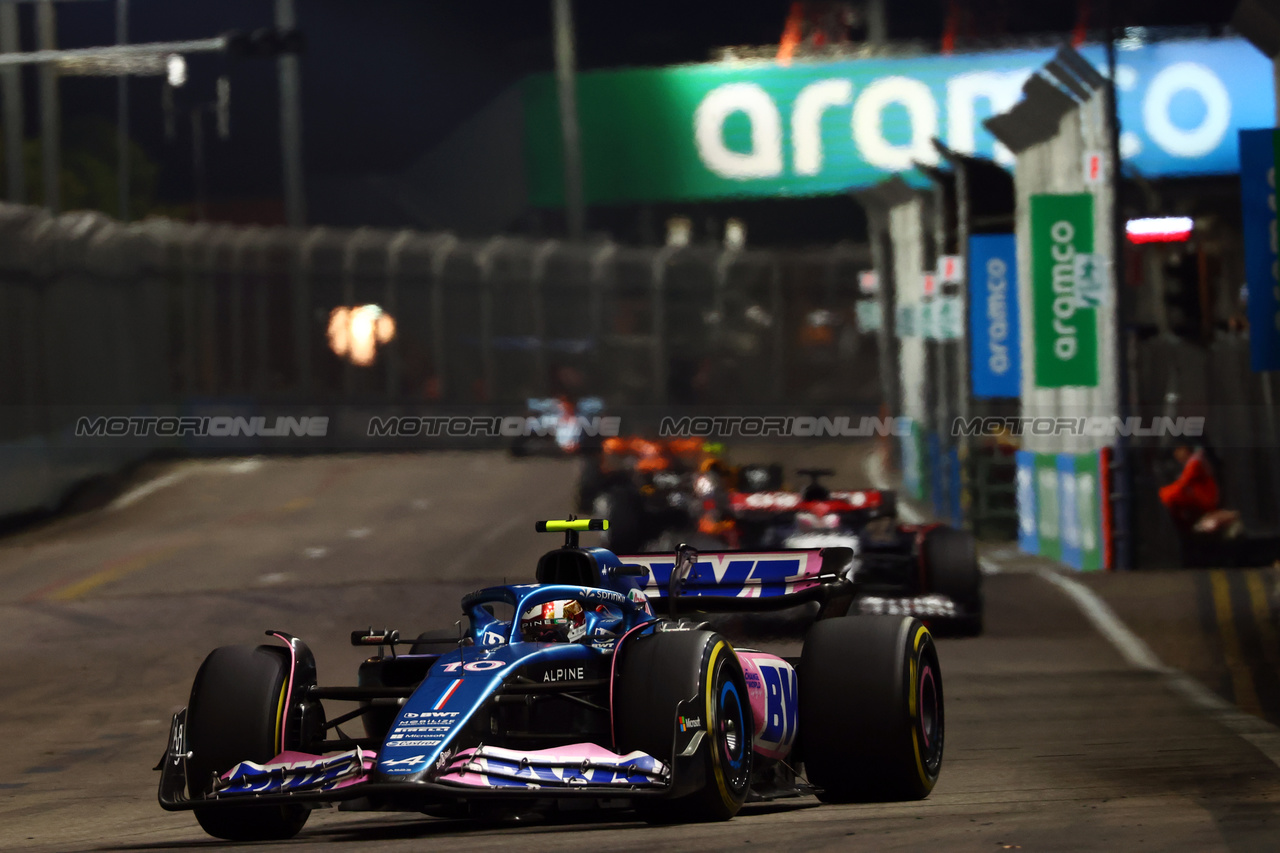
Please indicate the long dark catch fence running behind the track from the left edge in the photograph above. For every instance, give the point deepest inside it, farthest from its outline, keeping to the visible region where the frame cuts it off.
(162, 317)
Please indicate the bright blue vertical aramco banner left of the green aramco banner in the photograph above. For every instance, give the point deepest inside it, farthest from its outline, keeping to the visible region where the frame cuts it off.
(994, 339)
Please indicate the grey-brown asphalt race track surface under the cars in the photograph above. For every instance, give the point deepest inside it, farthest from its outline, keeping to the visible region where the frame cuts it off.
(1054, 742)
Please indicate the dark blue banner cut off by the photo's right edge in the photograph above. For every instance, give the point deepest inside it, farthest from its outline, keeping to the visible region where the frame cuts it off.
(1259, 199)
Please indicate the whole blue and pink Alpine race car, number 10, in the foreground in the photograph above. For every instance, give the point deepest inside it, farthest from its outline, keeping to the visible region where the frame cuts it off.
(574, 690)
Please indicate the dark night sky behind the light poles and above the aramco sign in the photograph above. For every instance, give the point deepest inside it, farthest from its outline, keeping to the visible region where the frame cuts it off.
(386, 80)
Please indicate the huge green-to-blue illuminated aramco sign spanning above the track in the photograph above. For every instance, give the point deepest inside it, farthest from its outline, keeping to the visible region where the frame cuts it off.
(817, 129)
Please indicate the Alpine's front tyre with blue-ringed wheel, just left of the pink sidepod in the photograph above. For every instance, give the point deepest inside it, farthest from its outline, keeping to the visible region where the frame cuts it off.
(655, 676)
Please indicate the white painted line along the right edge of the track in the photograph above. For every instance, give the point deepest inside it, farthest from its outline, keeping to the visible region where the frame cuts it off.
(1261, 735)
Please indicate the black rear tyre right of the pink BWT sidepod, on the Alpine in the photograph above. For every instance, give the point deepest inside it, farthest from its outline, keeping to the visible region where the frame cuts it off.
(871, 709)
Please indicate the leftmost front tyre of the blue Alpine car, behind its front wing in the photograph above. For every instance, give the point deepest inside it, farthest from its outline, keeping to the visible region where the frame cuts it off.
(234, 717)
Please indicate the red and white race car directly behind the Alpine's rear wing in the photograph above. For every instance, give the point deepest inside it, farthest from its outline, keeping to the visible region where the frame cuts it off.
(927, 571)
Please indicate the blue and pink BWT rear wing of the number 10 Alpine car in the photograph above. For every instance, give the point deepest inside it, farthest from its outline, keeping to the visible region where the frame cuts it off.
(724, 582)
